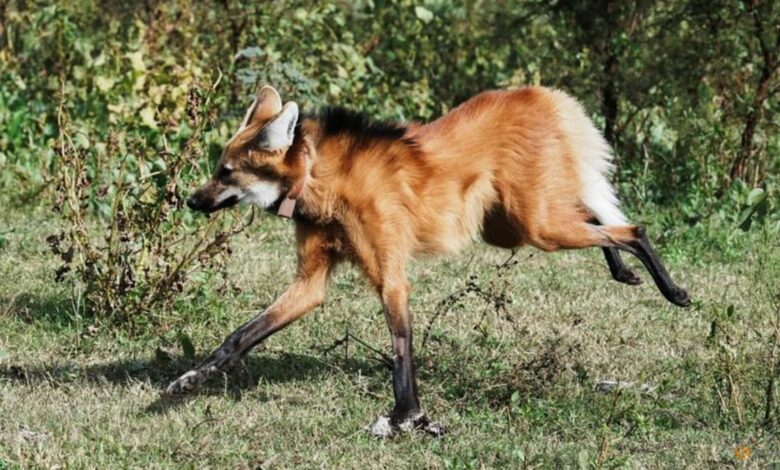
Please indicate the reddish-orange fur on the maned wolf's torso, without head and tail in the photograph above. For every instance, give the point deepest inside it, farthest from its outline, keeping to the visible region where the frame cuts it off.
(496, 164)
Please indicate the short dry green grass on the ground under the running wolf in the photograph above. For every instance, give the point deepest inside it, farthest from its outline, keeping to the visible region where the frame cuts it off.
(515, 367)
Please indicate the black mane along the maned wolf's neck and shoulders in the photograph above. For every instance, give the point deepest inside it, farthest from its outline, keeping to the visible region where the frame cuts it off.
(337, 120)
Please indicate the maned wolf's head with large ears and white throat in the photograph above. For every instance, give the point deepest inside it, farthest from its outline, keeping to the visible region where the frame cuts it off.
(258, 165)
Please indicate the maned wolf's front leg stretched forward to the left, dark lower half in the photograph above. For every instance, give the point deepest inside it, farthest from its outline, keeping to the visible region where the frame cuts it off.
(306, 293)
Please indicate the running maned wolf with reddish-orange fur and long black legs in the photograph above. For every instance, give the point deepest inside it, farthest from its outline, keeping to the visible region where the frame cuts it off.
(518, 167)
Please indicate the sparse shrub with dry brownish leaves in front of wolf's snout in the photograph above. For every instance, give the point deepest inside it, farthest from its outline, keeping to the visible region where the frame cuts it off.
(126, 243)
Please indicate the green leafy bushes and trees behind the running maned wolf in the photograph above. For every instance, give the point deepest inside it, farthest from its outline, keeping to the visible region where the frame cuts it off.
(686, 91)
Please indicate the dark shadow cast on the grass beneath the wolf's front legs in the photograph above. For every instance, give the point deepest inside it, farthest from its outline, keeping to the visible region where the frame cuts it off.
(160, 371)
